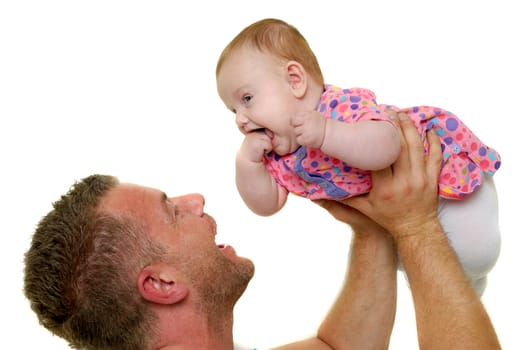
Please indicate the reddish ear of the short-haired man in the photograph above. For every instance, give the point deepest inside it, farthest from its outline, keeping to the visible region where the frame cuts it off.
(158, 283)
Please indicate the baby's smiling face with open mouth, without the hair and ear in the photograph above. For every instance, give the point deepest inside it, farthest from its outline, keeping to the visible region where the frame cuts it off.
(254, 86)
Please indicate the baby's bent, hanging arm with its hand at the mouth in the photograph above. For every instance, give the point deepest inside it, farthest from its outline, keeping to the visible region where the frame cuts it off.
(257, 187)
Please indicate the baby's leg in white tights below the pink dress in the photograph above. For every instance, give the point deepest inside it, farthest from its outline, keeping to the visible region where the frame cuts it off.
(472, 228)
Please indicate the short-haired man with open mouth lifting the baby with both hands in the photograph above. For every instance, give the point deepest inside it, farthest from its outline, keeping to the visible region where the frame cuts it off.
(120, 266)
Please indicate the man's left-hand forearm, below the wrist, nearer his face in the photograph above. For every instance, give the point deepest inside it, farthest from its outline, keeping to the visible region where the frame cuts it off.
(362, 317)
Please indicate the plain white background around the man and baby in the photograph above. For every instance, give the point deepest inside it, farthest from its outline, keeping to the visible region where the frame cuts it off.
(128, 88)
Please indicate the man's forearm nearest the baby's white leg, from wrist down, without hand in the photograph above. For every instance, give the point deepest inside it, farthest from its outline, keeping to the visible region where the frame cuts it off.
(449, 313)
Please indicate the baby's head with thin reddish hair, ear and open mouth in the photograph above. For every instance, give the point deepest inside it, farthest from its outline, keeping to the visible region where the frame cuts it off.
(266, 75)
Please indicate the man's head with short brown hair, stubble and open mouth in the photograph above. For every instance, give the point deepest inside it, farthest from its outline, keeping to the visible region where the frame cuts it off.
(111, 260)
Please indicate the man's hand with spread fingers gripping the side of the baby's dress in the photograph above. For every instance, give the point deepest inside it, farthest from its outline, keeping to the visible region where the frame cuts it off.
(406, 193)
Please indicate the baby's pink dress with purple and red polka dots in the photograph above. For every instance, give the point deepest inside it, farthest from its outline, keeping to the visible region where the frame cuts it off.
(310, 173)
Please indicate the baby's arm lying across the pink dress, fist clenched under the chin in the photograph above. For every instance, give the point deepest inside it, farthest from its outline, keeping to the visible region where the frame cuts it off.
(365, 144)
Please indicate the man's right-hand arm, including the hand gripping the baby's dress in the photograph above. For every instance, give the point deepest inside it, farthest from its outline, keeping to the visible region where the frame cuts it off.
(449, 314)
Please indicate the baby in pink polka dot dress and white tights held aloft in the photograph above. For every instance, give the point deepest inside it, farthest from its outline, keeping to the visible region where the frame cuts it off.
(320, 141)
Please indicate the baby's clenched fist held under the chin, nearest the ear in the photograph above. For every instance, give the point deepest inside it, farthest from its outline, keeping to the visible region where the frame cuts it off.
(309, 128)
